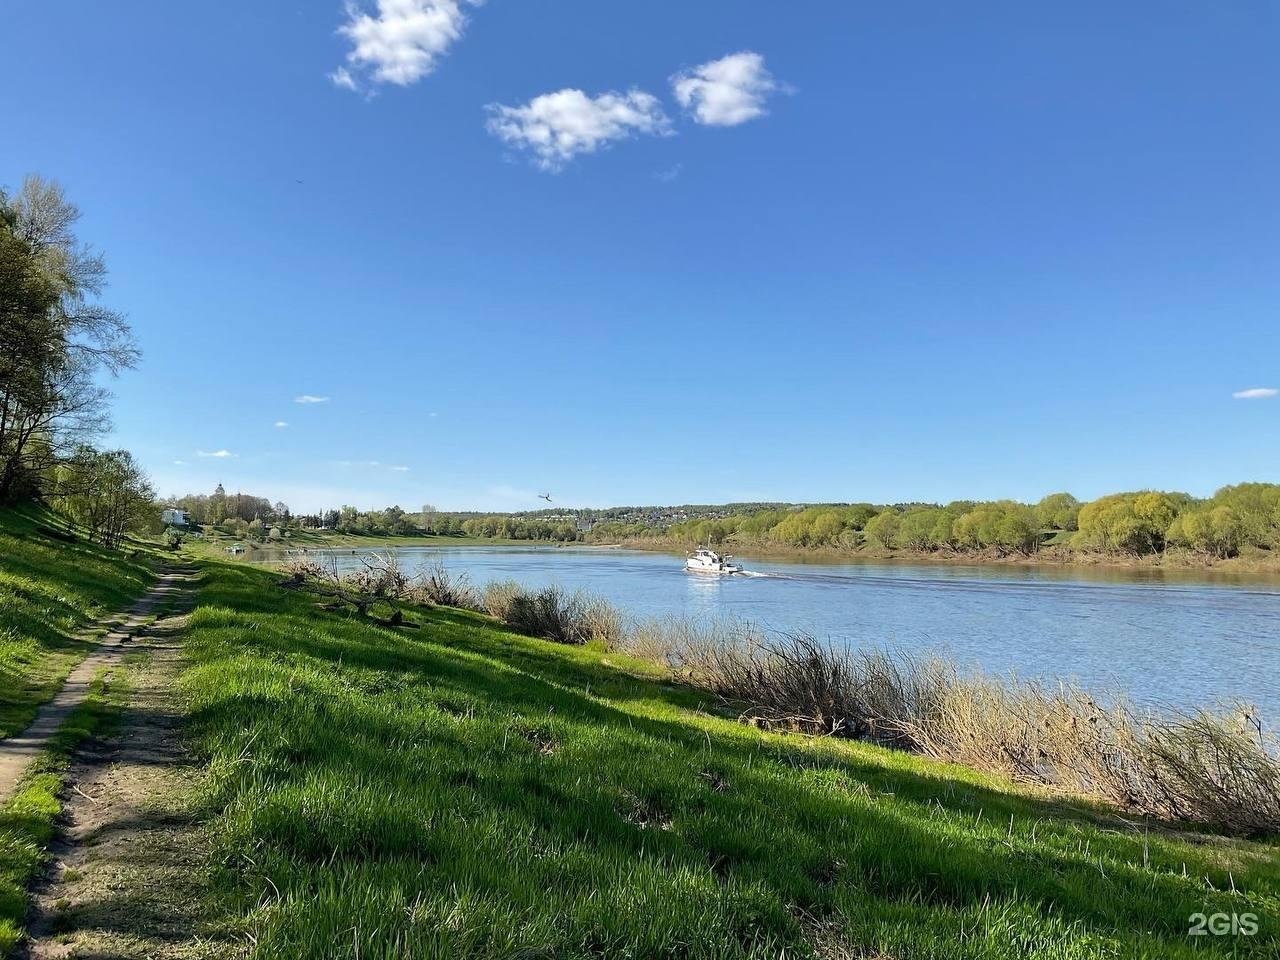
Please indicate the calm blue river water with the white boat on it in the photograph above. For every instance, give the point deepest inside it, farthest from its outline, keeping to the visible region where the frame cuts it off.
(1165, 639)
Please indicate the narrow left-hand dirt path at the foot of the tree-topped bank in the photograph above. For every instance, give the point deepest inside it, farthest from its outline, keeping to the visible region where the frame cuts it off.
(19, 752)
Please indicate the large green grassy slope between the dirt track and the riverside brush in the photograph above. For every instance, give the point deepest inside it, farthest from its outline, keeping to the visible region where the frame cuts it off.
(463, 792)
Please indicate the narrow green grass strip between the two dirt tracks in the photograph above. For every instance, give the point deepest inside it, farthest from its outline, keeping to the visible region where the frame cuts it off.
(28, 819)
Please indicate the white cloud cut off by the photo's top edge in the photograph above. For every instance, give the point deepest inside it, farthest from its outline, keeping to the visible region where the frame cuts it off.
(401, 42)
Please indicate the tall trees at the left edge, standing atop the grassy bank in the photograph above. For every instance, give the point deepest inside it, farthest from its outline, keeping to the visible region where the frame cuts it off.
(56, 344)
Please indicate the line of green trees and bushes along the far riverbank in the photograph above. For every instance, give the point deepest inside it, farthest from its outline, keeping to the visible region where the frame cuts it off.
(1238, 524)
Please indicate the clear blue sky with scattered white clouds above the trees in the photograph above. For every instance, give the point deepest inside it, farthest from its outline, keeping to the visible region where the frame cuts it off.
(670, 252)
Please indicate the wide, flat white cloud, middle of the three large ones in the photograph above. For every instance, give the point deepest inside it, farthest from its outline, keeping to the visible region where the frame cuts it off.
(557, 127)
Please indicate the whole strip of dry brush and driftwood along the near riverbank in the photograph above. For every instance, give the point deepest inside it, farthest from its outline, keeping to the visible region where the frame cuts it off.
(1219, 770)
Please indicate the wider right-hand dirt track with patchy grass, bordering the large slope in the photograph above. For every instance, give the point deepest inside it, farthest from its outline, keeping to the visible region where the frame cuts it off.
(130, 866)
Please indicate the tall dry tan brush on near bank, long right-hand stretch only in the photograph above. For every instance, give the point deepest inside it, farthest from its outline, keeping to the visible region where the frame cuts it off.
(1218, 770)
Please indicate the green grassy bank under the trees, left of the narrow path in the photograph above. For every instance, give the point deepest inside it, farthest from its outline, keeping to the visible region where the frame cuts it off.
(51, 589)
